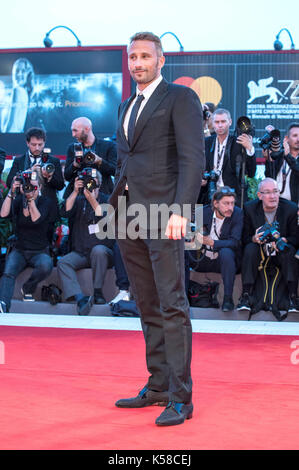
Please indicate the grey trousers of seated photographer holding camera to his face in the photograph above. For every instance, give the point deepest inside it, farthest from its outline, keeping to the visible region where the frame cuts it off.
(99, 260)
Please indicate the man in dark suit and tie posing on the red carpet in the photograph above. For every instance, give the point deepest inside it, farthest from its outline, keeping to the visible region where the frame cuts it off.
(160, 160)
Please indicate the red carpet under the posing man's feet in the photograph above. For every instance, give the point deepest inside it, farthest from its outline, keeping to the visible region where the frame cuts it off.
(58, 388)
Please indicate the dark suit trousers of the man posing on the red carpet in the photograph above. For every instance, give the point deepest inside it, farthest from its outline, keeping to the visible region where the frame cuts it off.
(155, 269)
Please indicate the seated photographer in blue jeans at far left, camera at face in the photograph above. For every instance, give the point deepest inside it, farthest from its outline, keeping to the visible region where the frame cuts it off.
(31, 214)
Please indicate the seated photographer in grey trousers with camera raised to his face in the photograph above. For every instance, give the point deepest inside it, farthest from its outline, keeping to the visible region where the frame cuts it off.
(88, 250)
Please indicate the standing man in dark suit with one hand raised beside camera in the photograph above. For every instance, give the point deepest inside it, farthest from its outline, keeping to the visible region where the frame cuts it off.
(224, 158)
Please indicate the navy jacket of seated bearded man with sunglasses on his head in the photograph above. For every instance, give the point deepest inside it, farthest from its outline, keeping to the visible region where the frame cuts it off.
(231, 230)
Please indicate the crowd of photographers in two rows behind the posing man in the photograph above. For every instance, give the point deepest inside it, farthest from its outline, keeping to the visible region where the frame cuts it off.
(238, 235)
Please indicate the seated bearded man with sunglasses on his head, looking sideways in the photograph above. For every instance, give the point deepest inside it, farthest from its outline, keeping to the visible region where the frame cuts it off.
(222, 223)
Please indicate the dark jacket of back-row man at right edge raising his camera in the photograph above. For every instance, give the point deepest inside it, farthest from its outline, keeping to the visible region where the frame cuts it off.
(272, 169)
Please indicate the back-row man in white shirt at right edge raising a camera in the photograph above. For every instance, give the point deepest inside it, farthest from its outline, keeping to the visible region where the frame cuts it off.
(283, 166)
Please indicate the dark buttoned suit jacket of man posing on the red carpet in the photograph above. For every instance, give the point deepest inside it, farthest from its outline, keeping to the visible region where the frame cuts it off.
(165, 161)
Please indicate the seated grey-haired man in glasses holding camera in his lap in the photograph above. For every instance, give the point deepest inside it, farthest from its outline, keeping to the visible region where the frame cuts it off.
(270, 231)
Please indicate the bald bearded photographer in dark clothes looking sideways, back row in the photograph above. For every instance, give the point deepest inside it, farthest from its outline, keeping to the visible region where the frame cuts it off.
(93, 152)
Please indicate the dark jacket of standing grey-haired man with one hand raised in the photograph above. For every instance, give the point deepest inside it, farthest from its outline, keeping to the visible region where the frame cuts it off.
(232, 168)
